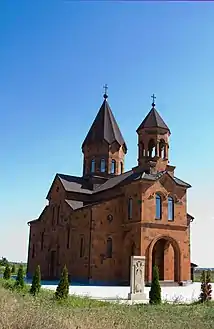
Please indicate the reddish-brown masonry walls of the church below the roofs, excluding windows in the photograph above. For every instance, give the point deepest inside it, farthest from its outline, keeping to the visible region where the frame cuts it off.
(129, 236)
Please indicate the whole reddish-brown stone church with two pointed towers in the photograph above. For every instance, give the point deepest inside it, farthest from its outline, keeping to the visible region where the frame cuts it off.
(96, 222)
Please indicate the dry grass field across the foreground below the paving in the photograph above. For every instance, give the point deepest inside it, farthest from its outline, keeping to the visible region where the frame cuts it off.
(21, 311)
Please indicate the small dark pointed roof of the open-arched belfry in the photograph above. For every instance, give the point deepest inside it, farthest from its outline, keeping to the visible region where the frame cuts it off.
(153, 120)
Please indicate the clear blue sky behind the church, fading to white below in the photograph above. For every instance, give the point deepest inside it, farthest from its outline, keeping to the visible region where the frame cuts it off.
(55, 57)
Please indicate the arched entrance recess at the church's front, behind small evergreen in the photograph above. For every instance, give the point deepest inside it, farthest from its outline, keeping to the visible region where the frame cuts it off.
(164, 252)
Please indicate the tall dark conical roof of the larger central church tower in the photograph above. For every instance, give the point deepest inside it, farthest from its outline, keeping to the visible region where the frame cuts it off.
(105, 128)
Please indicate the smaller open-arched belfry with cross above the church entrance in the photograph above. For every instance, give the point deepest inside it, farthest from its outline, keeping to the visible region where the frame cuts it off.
(153, 142)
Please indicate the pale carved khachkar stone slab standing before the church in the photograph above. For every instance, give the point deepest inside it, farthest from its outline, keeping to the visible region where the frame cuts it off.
(137, 282)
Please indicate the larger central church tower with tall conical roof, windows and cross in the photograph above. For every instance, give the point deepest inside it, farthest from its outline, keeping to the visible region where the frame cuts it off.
(104, 148)
